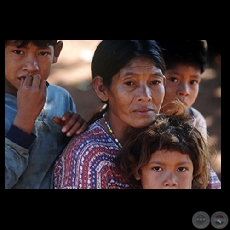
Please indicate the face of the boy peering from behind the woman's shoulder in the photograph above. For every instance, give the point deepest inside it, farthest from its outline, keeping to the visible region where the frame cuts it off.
(182, 82)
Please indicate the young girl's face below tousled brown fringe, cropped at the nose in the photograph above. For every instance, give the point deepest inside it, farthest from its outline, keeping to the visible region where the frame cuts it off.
(167, 170)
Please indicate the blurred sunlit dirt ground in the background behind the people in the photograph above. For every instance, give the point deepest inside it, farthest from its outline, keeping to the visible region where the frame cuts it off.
(73, 73)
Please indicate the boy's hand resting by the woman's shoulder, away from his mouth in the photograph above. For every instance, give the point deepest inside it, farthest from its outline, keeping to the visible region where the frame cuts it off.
(72, 123)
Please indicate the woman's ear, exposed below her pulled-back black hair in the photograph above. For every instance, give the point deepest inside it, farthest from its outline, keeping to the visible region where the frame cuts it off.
(100, 89)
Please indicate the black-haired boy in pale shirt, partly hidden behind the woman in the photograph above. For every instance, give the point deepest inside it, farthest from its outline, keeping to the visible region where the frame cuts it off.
(186, 61)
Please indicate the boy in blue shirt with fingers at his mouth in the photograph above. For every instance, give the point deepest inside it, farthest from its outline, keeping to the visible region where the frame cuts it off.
(39, 118)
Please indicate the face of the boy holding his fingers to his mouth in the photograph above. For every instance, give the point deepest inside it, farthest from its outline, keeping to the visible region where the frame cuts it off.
(26, 61)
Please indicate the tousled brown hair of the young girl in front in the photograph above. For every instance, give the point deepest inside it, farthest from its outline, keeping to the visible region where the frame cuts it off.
(175, 132)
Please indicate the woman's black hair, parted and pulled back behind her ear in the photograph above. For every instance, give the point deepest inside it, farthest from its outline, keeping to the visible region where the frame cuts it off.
(111, 56)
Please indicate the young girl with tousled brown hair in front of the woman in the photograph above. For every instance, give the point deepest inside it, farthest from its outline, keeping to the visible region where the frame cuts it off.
(170, 153)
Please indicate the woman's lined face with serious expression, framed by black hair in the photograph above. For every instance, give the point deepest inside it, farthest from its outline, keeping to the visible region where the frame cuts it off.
(136, 94)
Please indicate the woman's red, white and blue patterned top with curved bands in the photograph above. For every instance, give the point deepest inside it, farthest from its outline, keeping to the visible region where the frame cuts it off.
(88, 162)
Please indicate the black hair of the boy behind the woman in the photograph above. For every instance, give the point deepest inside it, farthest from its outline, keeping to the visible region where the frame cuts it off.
(189, 52)
